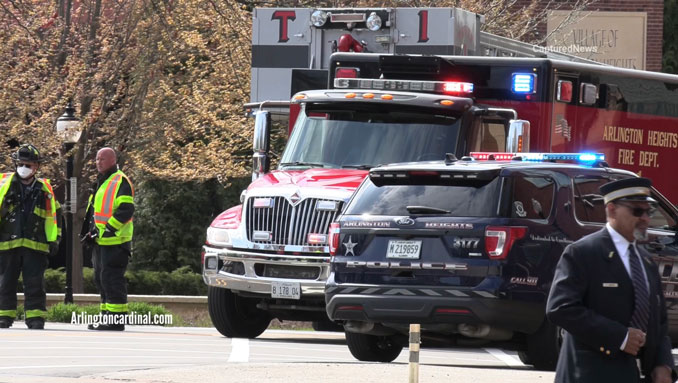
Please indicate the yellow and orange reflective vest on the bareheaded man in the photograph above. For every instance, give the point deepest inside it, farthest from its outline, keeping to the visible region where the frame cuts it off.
(106, 202)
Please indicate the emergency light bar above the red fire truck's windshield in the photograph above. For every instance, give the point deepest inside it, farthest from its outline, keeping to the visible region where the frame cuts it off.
(443, 87)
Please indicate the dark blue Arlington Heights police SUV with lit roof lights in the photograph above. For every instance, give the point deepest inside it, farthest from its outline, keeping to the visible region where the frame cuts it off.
(467, 248)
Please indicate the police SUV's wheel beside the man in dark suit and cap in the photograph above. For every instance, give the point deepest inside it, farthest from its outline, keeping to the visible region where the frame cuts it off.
(543, 347)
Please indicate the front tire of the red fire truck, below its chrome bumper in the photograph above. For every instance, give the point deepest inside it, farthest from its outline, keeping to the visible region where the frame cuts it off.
(234, 316)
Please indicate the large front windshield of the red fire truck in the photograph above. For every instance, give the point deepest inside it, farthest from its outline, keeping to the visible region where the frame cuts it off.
(363, 137)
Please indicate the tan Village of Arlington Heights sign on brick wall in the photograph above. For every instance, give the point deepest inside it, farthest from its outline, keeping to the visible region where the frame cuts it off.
(613, 38)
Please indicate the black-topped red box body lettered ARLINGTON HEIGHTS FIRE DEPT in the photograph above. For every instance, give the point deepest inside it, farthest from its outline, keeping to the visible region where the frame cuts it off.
(630, 116)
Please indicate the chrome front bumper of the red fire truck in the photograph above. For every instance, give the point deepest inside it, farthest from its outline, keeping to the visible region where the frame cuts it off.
(253, 283)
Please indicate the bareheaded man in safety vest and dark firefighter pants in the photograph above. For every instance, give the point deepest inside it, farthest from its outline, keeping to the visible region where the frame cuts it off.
(109, 224)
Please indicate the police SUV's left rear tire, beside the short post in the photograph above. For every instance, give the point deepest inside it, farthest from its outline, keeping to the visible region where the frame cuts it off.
(372, 348)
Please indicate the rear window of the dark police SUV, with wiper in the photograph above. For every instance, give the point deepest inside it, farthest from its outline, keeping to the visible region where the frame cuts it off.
(462, 199)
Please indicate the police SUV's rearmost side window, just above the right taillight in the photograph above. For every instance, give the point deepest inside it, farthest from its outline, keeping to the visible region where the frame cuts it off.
(532, 197)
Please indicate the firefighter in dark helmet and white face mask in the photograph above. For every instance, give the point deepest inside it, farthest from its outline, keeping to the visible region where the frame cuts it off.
(28, 234)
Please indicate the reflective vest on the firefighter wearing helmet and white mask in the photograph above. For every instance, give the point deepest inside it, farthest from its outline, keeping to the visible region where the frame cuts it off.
(48, 213)
